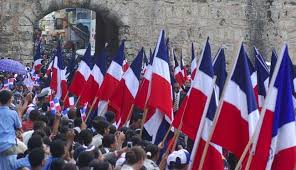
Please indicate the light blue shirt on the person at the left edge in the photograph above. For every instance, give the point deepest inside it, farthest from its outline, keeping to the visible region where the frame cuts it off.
(9, 122)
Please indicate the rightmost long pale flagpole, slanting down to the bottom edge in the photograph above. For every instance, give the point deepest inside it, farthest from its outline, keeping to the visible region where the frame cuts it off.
(260, 122)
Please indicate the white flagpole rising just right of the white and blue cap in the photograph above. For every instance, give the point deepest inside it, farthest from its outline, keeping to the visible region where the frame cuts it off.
(203, 119)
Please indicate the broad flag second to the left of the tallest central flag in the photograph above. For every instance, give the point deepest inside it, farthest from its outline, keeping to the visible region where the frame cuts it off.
(124, 96)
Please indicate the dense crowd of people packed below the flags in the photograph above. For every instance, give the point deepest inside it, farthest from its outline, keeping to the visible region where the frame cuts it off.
(31, 137)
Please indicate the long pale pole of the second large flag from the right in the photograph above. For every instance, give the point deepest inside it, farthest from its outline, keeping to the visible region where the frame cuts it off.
(217, 113)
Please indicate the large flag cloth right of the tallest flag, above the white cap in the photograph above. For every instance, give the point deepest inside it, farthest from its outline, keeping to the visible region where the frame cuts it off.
(192, 107)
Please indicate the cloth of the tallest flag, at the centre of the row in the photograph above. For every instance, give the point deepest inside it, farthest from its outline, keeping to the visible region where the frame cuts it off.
(160, 84)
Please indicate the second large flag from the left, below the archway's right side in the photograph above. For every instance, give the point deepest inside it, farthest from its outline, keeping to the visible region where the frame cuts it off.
(82, 73)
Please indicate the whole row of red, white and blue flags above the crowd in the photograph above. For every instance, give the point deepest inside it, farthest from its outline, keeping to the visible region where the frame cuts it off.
(249, 105)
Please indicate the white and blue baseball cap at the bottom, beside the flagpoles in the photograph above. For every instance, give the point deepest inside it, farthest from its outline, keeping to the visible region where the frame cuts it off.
(180, 157)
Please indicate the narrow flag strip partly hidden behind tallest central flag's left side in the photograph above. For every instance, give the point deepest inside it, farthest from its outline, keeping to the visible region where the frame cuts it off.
(141, 97)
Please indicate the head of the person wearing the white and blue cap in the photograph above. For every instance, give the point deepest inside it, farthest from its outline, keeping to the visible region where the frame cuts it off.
(178, 160)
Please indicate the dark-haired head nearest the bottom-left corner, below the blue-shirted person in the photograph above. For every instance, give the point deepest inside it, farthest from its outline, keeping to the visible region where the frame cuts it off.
(36, 158)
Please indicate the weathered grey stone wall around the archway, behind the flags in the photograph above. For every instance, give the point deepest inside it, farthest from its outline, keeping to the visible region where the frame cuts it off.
(263, 23)
